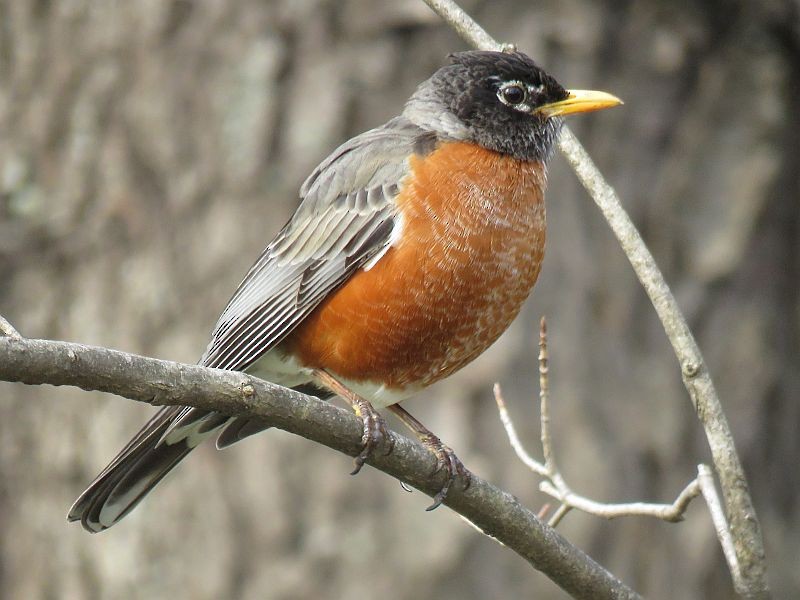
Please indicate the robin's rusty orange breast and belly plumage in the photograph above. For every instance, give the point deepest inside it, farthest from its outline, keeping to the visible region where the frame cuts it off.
(473, 234)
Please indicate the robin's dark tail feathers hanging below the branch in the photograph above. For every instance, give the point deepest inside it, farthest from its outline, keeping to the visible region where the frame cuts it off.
(160, 445)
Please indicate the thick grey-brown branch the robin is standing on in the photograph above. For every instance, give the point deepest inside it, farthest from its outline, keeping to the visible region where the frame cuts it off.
(159, 382)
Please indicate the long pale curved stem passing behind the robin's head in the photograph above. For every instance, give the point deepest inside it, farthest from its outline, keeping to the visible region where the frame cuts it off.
(744, 525)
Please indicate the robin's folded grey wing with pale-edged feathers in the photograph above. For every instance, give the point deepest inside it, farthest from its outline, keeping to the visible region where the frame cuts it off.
(346, 217)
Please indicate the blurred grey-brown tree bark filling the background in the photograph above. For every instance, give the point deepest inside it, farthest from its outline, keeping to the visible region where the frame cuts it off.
(149, 150)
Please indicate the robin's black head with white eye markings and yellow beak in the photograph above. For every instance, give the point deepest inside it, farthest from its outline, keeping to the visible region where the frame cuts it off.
(502, 101)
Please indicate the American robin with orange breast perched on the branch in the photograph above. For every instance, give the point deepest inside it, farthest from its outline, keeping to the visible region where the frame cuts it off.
(413, 249)
